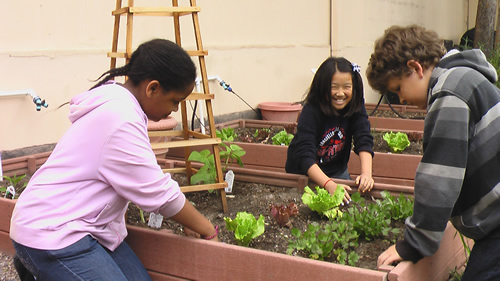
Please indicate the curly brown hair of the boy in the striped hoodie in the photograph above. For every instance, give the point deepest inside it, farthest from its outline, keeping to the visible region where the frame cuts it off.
(396, 47)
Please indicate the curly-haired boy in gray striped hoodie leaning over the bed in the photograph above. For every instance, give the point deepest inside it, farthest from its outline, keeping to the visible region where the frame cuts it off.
(458, 179)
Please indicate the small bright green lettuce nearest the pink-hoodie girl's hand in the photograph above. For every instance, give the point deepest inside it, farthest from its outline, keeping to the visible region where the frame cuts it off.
(246, 227)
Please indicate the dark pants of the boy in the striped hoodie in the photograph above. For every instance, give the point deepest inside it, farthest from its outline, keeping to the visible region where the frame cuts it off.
(484, 261)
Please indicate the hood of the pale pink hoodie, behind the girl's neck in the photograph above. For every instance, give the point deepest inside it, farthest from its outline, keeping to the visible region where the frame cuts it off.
(91, 100)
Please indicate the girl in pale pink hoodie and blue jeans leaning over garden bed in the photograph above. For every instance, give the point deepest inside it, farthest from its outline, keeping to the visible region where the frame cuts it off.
(69, 223)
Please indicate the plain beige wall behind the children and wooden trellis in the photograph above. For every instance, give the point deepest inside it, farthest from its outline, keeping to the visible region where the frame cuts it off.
(264, 49)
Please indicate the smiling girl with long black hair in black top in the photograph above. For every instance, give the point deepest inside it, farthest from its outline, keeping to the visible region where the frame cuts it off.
(332, 117)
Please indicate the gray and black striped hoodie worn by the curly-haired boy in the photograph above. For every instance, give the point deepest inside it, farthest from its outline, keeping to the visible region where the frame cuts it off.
(458, 178)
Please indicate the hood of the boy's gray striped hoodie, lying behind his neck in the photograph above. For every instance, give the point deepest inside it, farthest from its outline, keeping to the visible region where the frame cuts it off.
(474, 59)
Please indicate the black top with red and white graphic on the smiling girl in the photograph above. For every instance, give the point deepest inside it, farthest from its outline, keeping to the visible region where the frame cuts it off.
(327, 141)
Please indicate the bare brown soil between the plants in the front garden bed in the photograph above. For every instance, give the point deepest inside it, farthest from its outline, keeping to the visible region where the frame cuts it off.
(257, 199)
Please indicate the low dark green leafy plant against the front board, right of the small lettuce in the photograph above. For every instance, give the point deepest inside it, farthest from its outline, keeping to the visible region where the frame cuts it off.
(319, 241)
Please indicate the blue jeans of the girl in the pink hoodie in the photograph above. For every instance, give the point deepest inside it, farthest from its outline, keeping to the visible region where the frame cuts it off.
(84, 260)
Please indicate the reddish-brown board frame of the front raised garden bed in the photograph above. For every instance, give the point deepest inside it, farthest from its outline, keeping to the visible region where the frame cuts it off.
(172, 257)
